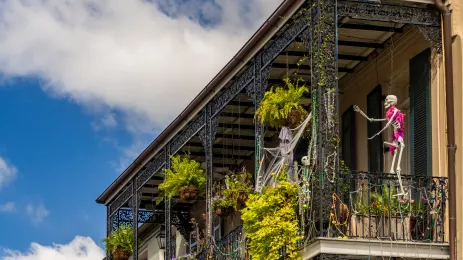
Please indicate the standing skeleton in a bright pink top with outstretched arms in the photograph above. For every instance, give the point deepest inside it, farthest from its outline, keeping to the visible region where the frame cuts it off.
(394, 118)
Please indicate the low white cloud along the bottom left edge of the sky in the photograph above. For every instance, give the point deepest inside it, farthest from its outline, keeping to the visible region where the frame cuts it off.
(80, 248)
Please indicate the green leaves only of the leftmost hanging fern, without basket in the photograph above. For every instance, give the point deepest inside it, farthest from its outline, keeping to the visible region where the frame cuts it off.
(121, 238)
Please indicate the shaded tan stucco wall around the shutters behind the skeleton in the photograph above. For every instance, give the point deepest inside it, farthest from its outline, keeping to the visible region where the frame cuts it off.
(355, 89)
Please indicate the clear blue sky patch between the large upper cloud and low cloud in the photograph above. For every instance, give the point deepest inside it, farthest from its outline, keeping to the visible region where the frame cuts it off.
(62, 163)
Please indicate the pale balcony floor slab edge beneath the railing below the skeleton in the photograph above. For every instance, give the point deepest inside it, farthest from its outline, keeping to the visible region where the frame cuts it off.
(363, 248)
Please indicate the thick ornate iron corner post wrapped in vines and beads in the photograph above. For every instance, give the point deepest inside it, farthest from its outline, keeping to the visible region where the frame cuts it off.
(325, 90)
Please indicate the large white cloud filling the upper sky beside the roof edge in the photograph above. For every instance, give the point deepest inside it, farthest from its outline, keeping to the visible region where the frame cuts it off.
(126, 55)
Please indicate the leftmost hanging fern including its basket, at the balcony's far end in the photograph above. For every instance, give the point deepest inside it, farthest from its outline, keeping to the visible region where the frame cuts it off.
(120, 242)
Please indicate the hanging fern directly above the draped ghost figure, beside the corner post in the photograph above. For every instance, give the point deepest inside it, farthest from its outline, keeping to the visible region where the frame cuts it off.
(281, 106)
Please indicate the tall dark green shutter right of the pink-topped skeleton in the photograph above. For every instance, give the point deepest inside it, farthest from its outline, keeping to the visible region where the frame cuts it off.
(420, 114)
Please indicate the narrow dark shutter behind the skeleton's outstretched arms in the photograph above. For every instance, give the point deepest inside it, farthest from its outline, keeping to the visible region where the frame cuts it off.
(375, 146)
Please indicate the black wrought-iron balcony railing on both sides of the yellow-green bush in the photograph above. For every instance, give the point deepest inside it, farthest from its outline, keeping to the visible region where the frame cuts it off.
(360, 205)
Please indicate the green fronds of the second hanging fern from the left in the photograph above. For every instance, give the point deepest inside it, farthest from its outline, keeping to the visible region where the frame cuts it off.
(183, 173)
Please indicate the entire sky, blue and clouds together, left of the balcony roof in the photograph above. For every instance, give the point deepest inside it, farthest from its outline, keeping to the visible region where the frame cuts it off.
(84, 87)
